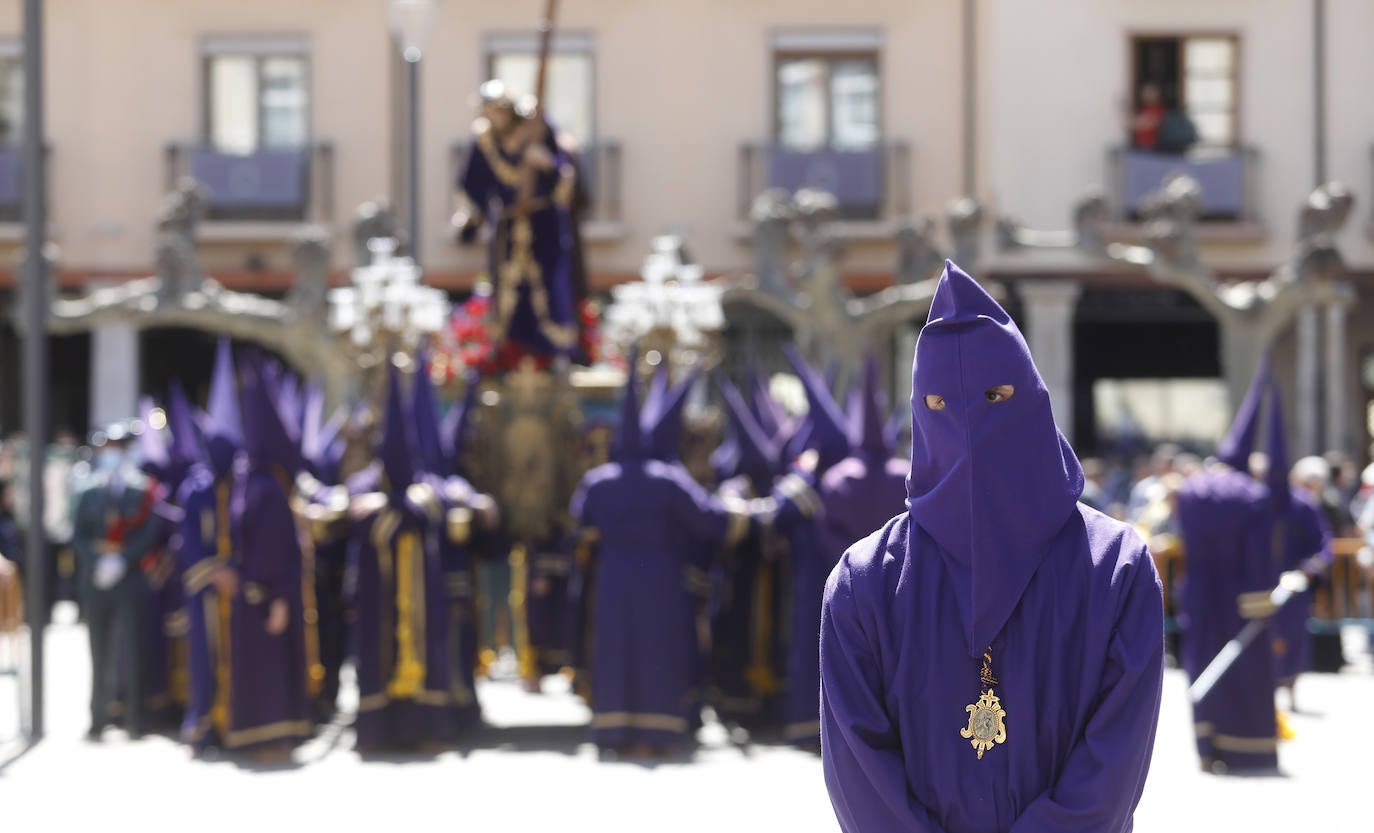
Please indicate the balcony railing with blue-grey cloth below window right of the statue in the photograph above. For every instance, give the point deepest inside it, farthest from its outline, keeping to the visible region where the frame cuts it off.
(869, 185)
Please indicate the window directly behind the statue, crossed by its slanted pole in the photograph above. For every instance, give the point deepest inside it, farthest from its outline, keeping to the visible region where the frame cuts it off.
(570, 80)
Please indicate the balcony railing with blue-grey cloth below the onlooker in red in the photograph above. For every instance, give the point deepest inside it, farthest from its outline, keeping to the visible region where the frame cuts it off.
(1229, 181)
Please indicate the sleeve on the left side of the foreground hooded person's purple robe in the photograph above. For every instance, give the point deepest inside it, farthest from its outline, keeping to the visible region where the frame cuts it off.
(859, 744)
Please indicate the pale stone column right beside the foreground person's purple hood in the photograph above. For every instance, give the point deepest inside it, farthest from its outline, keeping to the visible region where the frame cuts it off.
(1049, 309)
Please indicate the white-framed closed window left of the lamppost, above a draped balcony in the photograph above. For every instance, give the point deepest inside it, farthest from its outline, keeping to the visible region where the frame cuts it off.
(258, 96)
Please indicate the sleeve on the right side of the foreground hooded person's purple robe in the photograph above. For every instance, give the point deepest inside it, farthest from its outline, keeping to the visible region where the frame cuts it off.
(1104, 776)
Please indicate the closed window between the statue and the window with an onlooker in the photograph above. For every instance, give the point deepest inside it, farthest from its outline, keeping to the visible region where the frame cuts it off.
(828, 101)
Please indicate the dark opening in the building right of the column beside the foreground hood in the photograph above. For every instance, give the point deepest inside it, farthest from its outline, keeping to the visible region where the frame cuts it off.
(1137, 335)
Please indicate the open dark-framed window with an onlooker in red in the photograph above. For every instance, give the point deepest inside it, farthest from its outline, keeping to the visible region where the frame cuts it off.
(1196, 75)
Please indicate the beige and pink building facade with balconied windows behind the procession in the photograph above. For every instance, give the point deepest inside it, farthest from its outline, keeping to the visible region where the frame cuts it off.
(293, 113)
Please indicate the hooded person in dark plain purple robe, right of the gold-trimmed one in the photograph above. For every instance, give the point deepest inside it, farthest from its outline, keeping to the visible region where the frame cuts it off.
(269, 699)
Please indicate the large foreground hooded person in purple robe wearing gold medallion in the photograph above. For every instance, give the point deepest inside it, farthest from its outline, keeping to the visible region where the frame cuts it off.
(991, 659)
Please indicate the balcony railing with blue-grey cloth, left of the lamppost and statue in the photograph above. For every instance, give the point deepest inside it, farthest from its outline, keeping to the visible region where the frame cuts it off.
(266, 186)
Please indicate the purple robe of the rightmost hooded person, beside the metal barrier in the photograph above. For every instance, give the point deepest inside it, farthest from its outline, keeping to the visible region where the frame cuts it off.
(1307, 545)
